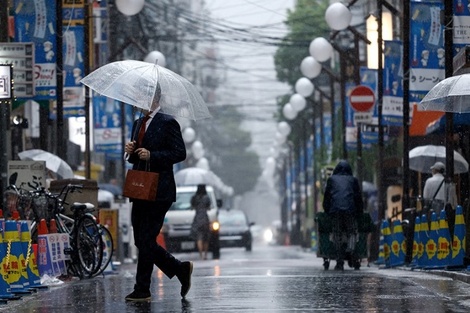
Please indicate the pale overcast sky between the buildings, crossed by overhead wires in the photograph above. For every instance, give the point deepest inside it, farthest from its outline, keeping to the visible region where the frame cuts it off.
(248, 56)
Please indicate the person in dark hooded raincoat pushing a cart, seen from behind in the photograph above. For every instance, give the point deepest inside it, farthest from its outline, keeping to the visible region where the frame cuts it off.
(343, 203)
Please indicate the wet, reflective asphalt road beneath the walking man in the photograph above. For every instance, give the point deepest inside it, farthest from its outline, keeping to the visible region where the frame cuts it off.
(268, 279)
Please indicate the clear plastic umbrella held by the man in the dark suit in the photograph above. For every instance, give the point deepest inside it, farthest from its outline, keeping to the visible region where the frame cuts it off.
(141, 83)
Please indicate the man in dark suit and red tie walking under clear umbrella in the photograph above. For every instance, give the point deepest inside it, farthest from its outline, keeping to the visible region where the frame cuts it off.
(160, 148)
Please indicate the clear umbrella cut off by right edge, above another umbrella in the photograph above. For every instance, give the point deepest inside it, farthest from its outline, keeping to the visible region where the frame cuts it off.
(449, 95)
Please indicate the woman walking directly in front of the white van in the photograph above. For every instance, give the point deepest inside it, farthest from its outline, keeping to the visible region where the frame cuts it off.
(200, 227)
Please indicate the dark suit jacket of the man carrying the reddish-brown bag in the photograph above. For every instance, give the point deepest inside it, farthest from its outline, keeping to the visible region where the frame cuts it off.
(164, 141)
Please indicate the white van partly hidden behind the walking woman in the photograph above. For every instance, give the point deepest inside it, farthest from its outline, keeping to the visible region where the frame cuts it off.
(178, 220)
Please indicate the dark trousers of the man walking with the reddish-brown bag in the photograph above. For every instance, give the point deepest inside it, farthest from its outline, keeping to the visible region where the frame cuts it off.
(147, 220)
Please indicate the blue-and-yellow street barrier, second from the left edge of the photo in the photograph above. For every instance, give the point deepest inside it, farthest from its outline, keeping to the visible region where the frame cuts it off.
(17, 275)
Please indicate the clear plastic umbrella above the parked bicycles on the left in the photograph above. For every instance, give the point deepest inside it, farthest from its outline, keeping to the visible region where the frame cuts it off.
(53, 162)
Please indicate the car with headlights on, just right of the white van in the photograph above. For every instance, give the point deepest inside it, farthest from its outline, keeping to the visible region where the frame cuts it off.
(235, 229)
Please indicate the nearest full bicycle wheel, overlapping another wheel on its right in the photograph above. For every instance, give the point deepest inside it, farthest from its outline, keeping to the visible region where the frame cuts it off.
(89, 244)
